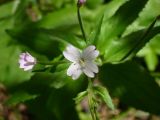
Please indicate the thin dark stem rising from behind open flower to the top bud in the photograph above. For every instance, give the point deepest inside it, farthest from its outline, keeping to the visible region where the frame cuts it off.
(80, 23)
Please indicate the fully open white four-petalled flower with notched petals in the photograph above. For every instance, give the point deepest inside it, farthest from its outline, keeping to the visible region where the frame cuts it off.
(81, 61)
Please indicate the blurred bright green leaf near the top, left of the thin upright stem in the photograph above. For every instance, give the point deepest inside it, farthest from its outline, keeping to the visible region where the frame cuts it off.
(61, 19)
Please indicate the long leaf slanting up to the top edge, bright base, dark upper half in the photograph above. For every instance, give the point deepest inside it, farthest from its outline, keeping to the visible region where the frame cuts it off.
(117, 24)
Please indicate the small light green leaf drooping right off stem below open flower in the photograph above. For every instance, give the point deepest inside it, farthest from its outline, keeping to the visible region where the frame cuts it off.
(103, 93)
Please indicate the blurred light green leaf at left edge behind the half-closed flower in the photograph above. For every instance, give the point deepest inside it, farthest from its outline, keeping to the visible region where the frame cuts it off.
(10, 73)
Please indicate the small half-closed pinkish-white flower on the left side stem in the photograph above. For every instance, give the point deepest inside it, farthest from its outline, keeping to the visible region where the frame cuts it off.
(26, 61)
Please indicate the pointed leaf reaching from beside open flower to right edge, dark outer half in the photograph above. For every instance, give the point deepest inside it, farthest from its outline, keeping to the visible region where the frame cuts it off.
(127, 47)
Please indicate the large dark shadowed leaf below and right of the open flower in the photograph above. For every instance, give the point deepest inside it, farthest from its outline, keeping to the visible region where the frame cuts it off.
(132, 84)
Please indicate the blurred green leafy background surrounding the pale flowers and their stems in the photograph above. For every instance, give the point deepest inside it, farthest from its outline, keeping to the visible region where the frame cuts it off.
(43, 27)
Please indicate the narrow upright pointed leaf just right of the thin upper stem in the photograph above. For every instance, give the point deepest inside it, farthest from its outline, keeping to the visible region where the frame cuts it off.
(94, 36)
